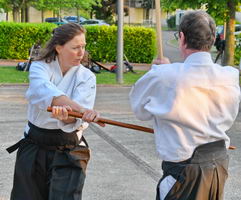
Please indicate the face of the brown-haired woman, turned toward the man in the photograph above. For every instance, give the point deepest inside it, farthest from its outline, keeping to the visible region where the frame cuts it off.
(72, 52)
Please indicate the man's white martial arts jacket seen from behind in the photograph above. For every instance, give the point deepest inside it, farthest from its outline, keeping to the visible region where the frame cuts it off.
(190, 104)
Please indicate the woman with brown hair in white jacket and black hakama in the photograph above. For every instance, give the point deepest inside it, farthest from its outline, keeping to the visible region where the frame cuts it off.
(53, 155)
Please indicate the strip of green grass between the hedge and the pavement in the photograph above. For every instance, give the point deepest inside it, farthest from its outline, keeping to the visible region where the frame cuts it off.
(11, 75)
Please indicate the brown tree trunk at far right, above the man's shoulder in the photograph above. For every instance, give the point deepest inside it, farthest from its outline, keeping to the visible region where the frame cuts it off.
(230, 38)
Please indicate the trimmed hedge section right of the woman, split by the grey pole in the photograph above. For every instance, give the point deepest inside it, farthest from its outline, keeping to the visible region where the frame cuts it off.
(139, 43)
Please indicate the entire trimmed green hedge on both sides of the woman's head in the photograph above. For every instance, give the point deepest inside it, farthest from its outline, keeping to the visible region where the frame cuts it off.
(139, 43)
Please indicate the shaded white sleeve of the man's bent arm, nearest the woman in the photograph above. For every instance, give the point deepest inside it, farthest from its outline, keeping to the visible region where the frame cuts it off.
(141, 95)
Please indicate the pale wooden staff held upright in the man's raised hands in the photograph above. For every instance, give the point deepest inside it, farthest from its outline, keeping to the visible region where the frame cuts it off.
(158, 30)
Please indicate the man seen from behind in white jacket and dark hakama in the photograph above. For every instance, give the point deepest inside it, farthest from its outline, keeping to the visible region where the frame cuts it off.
(192, 105)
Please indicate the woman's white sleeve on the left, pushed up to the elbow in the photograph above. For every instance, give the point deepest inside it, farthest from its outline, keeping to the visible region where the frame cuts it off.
(41, 90)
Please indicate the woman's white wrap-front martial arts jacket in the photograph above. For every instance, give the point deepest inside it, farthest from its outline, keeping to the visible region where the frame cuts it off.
(47, 81)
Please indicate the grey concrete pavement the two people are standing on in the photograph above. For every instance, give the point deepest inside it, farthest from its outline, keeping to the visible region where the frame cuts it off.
(124, 164)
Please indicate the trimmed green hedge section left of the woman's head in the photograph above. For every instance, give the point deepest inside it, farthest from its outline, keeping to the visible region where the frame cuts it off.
(17, 38)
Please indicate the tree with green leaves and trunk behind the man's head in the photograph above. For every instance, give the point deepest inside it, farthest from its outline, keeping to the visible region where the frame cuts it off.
(223, 11)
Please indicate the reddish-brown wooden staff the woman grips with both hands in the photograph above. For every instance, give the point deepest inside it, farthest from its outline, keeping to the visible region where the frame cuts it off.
(111, 122)
